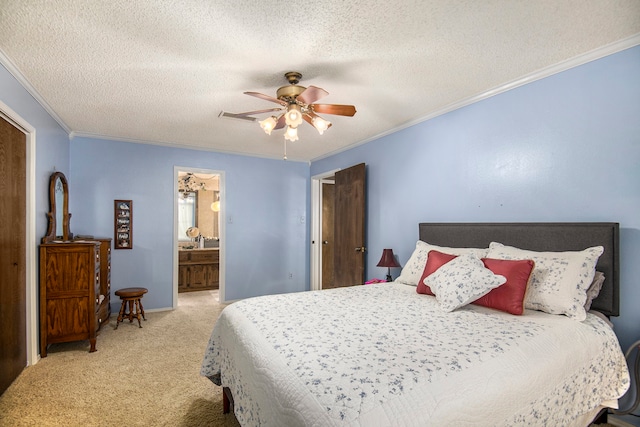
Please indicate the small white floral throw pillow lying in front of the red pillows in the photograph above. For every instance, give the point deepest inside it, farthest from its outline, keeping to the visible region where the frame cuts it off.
(461, 281)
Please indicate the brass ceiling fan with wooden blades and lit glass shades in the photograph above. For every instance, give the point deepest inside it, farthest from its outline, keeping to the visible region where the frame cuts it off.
(297, 103)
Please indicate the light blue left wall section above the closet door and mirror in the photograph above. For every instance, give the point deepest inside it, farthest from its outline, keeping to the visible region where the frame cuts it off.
(52, 142)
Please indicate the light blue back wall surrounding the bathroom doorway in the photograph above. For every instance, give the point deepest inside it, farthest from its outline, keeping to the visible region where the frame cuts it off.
(265, 200)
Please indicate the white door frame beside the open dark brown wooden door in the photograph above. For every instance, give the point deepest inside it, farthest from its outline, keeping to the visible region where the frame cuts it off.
(316, 227)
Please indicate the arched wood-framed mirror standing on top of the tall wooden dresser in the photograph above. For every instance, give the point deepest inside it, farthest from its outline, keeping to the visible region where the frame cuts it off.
(58, 215)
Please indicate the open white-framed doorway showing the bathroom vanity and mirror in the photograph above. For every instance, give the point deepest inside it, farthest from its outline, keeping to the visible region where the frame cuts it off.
(199, 235)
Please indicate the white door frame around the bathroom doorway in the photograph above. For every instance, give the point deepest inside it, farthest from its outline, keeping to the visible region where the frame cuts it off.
(221, 225)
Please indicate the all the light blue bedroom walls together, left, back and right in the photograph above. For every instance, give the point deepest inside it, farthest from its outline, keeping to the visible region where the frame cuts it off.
(565, 148)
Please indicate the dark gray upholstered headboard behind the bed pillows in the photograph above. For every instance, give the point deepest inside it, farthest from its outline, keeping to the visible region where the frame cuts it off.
(568, 236)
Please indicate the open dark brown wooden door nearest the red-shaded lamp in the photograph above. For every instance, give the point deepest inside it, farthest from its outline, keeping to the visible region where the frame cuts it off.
(349, 226)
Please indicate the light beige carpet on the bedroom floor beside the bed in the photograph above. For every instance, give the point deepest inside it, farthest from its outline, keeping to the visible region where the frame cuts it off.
(138, 377)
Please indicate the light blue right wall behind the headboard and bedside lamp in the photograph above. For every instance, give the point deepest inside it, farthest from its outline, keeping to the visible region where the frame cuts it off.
(564, 148)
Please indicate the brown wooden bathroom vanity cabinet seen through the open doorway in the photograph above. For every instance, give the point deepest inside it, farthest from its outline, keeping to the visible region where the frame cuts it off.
(198, 269)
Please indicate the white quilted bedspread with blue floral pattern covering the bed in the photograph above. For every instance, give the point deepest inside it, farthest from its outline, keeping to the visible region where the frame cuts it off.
(383, 355)
